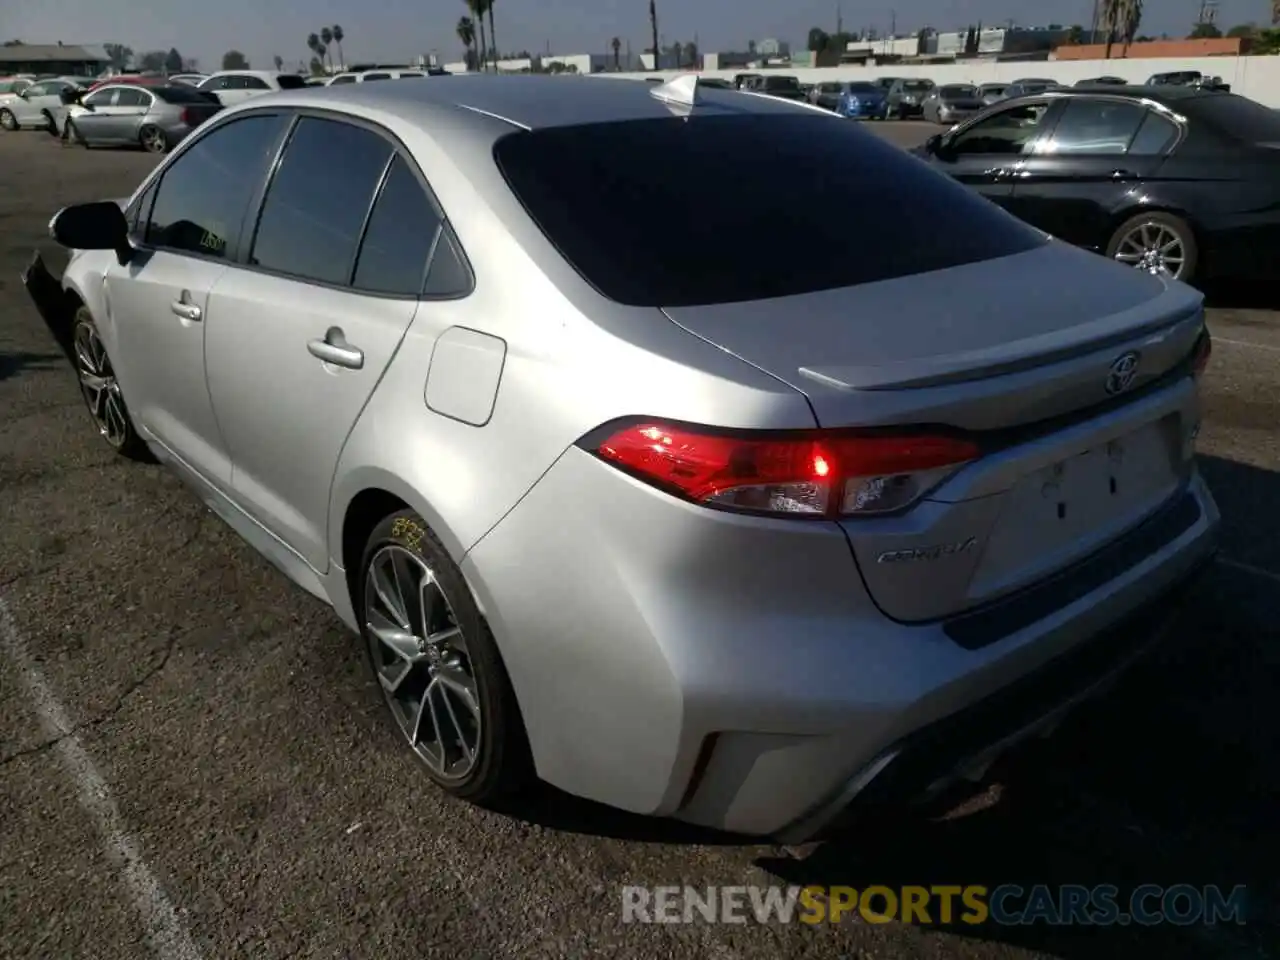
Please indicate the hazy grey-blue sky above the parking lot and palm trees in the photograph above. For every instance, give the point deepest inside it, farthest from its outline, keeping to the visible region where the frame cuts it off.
(400, 30)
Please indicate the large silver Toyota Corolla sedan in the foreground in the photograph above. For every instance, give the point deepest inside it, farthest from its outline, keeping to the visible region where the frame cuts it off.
(729, 541)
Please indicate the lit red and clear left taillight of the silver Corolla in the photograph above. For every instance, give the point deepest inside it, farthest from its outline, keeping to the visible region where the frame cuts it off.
(812, 474)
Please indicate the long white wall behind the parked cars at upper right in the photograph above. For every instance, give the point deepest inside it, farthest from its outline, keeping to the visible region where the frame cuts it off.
(1255, 77)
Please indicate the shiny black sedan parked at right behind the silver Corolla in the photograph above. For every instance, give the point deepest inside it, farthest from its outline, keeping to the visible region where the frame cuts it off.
(1169, 180)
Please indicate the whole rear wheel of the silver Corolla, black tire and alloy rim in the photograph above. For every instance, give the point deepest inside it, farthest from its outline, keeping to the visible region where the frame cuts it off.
(437, 666)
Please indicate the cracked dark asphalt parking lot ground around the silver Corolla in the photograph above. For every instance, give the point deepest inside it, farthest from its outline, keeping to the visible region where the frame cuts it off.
(244, 798)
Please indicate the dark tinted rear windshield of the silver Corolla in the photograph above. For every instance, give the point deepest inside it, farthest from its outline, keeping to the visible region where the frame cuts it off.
(653, 213)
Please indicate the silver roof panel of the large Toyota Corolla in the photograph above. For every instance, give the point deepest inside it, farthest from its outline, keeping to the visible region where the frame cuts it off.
(527, 102)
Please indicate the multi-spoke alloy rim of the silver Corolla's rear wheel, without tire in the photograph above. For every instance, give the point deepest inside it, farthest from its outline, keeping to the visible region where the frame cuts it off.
(423, 662)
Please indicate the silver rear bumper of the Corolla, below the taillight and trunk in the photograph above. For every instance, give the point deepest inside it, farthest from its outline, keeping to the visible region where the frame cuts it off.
(733, 673)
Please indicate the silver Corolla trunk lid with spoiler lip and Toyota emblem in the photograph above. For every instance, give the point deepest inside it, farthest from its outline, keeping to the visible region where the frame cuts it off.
(1009, 350)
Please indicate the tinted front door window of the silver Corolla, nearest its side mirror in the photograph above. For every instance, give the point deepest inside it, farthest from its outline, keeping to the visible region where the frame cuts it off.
(203, 198)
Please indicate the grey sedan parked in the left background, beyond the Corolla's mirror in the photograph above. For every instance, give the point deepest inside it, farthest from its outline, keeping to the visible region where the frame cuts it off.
(154, 118)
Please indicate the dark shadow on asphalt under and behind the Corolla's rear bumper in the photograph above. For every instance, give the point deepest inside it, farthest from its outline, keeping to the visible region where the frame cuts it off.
(1174, 778)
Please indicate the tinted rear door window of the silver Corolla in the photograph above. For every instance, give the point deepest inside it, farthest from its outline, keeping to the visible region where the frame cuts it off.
(317, 204)
